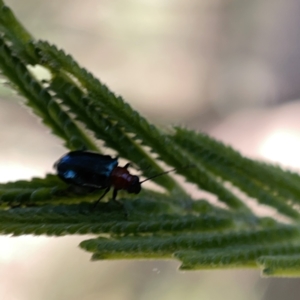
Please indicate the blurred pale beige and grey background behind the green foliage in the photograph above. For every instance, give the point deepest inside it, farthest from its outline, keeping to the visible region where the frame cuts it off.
(229, 68)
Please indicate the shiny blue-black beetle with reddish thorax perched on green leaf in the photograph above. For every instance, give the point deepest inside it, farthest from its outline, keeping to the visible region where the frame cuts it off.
(94, 170)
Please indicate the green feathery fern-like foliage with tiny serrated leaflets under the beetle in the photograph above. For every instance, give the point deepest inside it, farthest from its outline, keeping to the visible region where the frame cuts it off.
(80, 110)
